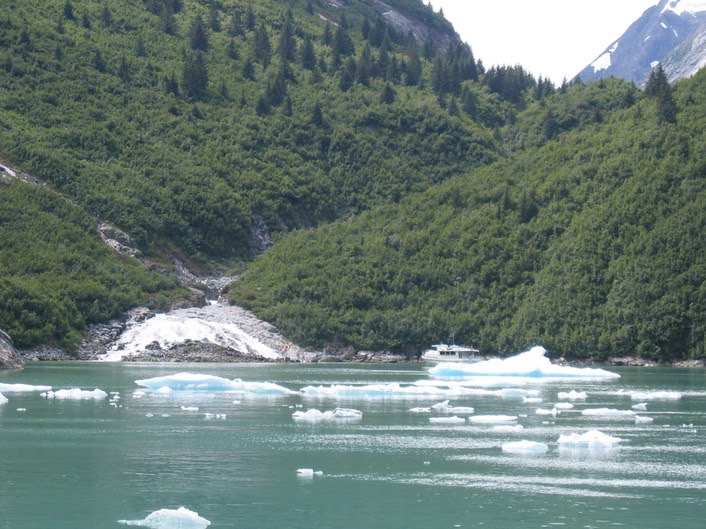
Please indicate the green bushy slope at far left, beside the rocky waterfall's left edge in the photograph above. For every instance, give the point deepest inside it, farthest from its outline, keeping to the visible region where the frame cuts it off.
(61, 274)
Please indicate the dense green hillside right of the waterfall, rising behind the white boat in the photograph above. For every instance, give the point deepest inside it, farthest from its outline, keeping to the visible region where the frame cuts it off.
(591, 245)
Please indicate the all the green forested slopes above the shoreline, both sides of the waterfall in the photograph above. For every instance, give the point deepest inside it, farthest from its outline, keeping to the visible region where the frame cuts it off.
(394, 189)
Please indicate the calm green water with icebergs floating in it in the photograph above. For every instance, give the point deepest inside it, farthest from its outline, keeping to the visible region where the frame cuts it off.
(77, 464)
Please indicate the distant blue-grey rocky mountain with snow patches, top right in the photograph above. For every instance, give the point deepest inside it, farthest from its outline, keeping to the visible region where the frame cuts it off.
(651, 39)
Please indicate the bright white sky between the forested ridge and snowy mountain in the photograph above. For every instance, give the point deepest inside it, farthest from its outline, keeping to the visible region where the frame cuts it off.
(551, 38)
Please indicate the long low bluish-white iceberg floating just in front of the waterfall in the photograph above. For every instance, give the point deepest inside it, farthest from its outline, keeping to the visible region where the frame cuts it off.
(197, 382)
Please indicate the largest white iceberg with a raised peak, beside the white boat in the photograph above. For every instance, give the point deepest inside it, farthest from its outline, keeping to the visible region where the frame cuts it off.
(529, 364)
